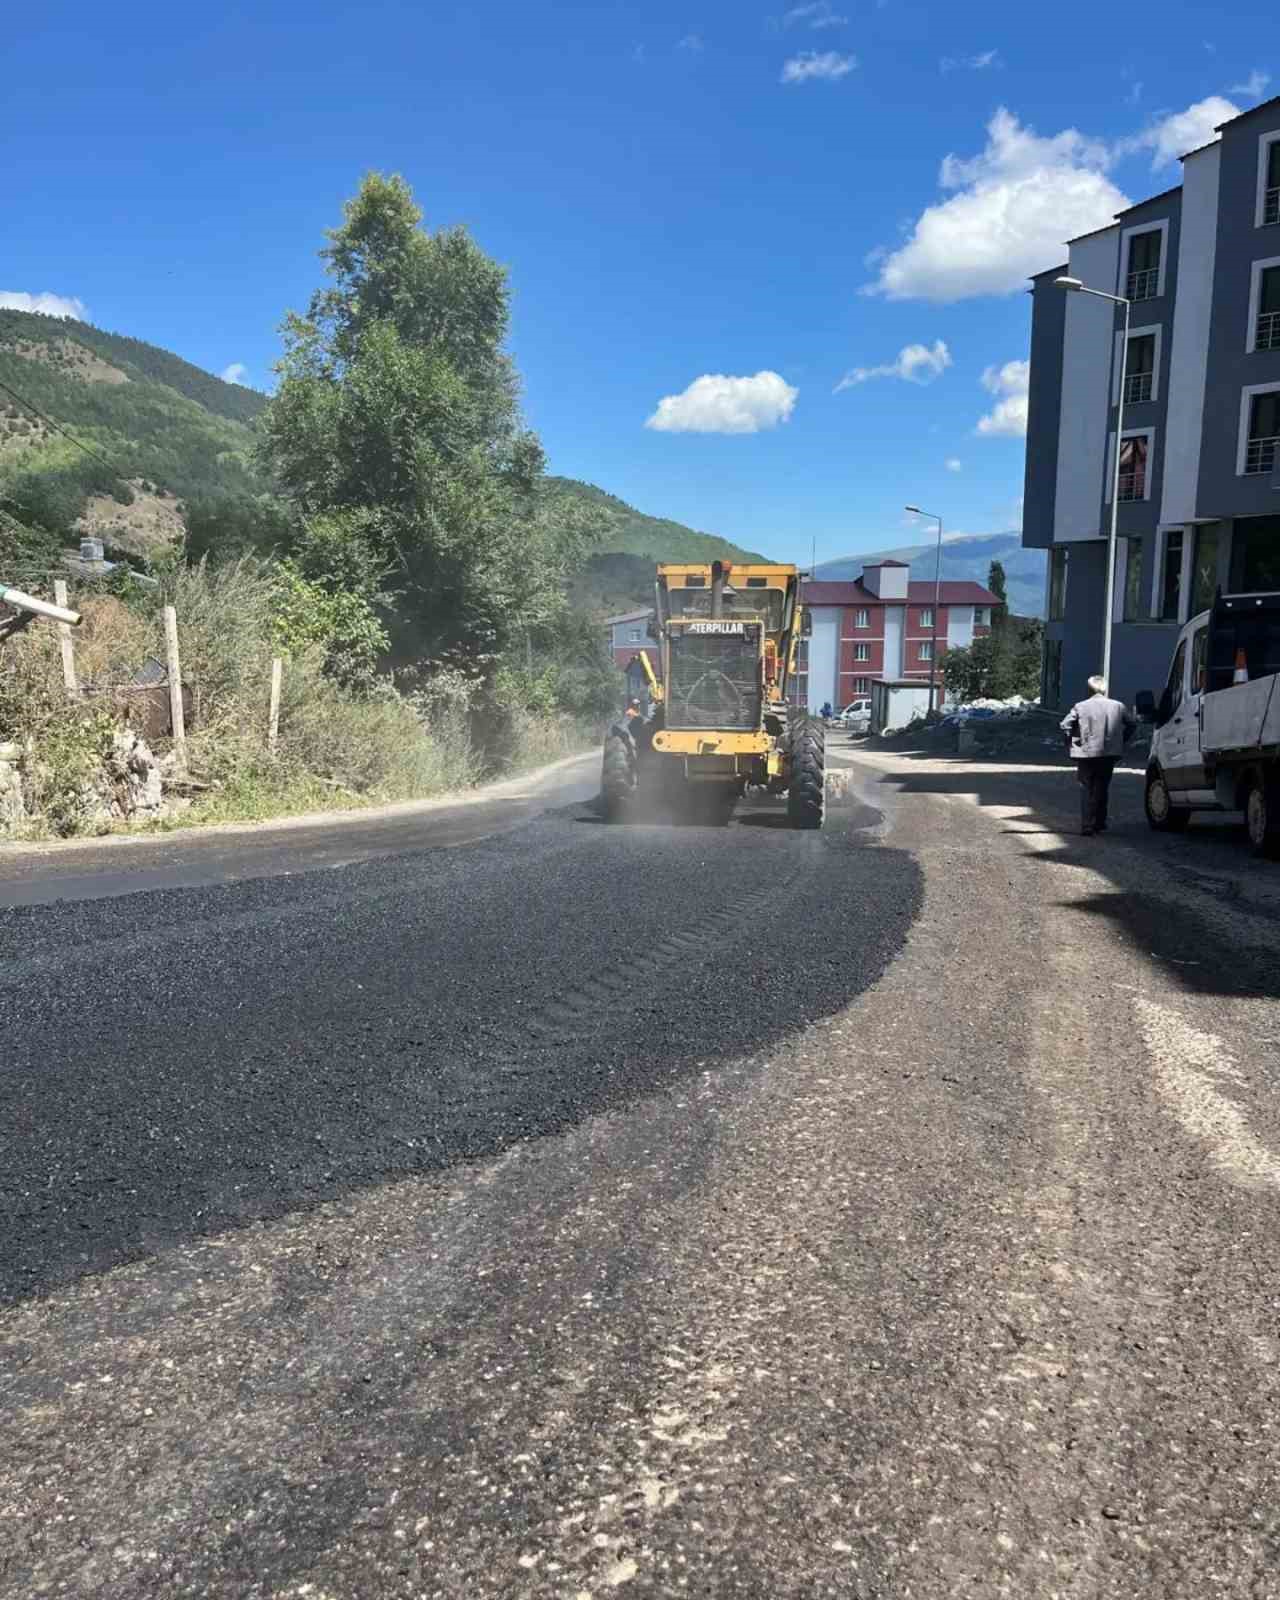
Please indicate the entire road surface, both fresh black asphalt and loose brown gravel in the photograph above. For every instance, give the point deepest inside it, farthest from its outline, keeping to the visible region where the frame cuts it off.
(502, 1204)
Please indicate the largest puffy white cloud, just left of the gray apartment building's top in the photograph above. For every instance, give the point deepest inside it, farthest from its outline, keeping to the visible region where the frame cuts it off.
(1014, 209)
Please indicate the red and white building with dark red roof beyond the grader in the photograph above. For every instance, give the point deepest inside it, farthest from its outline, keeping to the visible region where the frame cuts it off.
(884, 626)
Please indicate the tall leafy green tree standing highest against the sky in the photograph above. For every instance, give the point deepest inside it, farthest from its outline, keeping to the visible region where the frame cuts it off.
(398, 410)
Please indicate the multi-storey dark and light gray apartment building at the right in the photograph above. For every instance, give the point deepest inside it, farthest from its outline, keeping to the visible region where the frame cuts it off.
(1199, 500)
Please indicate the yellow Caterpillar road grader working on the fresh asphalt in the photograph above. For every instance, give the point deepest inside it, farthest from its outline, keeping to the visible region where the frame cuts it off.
(721, 724)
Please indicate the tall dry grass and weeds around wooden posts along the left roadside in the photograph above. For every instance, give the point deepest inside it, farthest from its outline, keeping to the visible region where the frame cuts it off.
(337, 750)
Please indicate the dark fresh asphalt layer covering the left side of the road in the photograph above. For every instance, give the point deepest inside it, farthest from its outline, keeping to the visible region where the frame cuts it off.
(185, 1057)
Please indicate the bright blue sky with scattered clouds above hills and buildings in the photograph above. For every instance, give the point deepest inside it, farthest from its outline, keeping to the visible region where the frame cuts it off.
(714, 215)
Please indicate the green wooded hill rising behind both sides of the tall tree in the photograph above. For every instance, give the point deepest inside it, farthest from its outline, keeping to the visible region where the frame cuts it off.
(169, 450)
